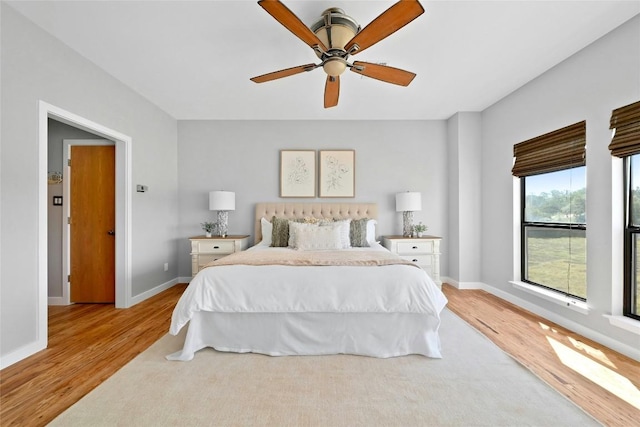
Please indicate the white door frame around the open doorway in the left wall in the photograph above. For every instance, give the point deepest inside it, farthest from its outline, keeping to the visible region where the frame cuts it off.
(123, 206)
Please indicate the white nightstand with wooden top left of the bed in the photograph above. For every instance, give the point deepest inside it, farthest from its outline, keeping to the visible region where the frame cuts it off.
(207, 249)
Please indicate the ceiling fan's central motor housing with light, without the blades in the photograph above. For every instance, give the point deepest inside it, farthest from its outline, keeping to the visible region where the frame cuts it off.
(335, 29)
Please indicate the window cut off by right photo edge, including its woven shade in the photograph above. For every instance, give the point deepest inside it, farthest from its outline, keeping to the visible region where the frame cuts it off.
(626, 144)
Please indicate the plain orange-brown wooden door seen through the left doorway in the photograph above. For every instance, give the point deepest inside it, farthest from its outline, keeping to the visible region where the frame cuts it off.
(92, 224)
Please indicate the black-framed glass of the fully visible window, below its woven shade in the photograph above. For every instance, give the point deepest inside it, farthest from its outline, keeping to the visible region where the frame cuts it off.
(554, 249)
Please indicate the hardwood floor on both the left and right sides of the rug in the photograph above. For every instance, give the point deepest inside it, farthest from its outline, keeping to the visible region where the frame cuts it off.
(90, 342)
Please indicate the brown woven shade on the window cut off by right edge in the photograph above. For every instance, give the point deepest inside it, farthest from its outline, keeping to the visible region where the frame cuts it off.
(626, 121)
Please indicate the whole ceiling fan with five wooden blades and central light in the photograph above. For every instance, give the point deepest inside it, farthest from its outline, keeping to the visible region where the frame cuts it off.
(335, 36)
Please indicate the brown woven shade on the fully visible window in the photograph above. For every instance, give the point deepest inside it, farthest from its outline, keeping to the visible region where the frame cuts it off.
(553, 151)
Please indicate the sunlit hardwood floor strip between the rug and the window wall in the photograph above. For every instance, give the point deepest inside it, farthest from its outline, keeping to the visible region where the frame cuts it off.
(595, 377)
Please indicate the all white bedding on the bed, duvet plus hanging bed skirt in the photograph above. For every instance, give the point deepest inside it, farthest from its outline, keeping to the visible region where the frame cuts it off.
(402, 294)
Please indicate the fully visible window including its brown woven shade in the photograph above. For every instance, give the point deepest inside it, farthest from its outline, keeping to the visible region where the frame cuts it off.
(552, 169)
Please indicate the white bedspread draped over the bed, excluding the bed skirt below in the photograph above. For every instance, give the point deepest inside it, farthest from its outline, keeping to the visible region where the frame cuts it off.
(370, 290)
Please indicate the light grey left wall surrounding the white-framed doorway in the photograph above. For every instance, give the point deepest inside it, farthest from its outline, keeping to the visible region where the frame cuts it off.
(34, 67)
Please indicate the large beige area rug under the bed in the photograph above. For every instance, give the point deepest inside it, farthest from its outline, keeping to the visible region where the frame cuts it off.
(475, 384)
